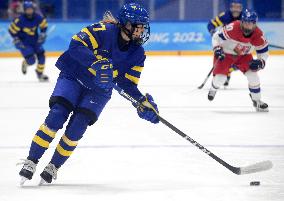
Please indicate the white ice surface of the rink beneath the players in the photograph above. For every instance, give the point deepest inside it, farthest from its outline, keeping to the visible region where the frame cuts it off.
(125, 158)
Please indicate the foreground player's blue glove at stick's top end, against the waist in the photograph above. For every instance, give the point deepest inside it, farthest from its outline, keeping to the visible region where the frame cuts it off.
(103, 73)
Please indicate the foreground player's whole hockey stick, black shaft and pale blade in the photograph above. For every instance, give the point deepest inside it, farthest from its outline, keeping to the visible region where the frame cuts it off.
(257, 167)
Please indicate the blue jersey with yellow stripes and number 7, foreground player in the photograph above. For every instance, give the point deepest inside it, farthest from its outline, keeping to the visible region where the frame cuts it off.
(98, 41)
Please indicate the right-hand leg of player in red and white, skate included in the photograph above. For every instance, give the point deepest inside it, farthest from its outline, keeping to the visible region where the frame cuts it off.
(253, 83)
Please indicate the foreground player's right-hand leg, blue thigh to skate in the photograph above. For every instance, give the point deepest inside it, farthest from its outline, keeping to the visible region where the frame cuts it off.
(86, 114)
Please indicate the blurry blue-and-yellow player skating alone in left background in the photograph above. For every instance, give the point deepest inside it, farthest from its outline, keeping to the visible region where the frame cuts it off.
(28, 41)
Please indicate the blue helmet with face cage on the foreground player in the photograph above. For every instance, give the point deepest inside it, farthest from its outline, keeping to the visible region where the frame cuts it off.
(134, 14)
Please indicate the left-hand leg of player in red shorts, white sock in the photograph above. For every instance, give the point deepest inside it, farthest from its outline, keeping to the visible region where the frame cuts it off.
(220, 73)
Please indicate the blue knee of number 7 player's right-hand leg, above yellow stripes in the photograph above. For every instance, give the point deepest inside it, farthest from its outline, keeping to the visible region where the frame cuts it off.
(78, 125)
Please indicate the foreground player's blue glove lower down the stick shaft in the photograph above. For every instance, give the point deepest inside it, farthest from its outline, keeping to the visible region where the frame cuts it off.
(149, 110)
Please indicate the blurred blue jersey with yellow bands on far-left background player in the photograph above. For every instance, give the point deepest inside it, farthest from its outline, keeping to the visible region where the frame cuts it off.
(27, 29)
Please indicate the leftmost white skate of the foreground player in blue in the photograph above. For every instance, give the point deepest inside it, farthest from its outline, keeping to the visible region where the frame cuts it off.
(27, 171)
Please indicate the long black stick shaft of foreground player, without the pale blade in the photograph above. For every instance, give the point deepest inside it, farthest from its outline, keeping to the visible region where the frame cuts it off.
(182, 134)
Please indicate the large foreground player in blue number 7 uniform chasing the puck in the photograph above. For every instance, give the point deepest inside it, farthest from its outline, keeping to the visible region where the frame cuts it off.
(98, 56)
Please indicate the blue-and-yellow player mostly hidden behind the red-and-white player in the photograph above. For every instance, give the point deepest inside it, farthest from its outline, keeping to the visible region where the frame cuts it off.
(224, 18)
